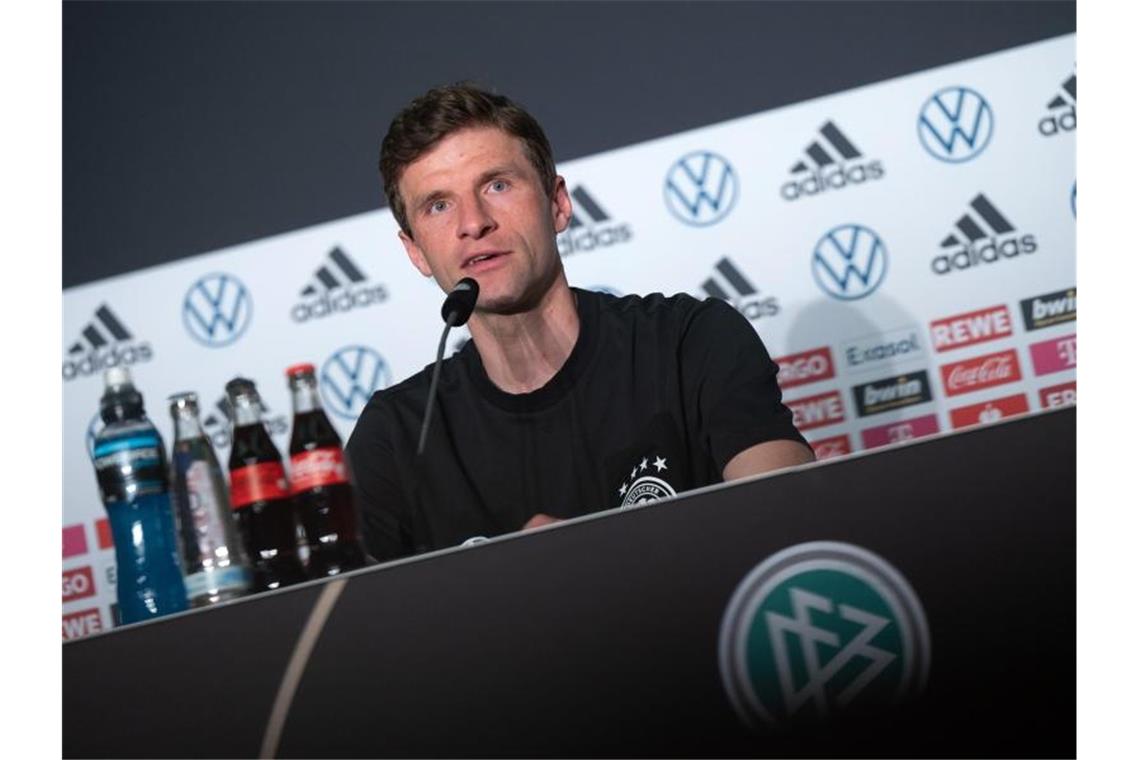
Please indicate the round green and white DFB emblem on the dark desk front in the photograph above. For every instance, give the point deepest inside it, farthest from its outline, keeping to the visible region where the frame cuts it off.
(820, 628)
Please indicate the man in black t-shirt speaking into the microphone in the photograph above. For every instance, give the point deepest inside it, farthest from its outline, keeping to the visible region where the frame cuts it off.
(565, 402)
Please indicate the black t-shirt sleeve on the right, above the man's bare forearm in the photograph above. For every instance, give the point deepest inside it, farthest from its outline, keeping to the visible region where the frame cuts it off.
(731, 383)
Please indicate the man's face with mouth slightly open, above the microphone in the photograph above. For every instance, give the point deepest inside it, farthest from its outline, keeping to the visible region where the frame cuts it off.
(478, 209)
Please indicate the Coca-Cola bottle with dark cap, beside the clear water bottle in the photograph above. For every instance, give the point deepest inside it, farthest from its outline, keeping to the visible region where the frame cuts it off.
(260, 495)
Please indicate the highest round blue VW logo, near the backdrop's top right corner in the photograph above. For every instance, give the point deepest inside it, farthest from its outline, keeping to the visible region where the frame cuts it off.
(956, 125)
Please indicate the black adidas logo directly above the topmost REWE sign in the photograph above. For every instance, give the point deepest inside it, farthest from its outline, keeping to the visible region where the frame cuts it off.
(983, 235)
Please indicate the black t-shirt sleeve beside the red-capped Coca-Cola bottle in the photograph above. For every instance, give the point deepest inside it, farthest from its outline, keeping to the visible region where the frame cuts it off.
(380, 493)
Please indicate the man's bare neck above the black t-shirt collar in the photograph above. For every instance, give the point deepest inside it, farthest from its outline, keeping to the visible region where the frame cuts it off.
(523, 353)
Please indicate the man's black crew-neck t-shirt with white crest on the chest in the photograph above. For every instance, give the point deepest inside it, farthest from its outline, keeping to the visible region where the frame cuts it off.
(657, 396)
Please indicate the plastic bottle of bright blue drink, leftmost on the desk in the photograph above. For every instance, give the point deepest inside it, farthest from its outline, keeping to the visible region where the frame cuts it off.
(131, 465)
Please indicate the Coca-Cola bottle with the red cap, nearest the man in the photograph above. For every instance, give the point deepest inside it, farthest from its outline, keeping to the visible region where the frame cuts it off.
(321, 483)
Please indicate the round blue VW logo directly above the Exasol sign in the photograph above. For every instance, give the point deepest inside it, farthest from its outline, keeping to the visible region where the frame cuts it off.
(850, 263)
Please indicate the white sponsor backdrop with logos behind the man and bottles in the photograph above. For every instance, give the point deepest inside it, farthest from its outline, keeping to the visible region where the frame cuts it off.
(906, 250)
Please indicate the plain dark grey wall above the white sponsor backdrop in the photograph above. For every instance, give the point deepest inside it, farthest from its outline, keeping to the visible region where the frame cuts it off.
(191, 127)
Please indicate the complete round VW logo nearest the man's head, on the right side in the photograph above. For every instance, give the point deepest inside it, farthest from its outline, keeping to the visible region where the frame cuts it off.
(702, 189)
